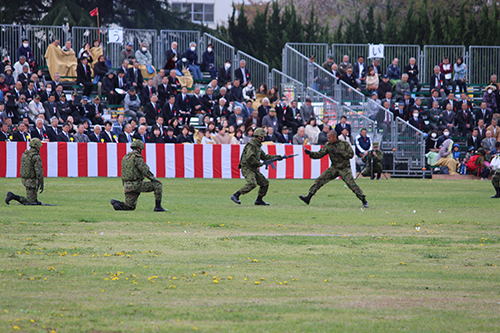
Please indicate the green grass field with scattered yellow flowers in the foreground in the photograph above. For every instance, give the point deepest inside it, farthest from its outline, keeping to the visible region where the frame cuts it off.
(424, 257)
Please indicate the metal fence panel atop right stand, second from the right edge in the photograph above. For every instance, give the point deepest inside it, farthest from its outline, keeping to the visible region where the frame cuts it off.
(434, 54)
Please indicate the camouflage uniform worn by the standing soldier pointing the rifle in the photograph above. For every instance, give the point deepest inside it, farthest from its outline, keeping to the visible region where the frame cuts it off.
(250, 164)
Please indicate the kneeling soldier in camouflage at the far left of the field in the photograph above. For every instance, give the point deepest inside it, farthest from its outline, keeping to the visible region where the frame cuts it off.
(31, 174)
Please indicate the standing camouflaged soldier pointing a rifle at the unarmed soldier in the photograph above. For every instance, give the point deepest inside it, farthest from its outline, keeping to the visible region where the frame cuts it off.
(250, 164)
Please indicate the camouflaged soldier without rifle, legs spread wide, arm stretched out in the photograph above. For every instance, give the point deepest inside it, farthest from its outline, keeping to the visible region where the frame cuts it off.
(340, 153)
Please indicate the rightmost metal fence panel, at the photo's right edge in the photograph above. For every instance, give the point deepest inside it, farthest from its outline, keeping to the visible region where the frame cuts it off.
(483, 62)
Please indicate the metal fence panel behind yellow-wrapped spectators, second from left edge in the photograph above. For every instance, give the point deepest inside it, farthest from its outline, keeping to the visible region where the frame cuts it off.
(40, 36)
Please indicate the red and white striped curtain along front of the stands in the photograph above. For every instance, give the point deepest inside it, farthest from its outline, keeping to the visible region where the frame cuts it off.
(67, 159)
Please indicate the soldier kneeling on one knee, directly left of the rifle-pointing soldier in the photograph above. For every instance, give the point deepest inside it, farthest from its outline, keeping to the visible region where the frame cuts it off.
(134, 170)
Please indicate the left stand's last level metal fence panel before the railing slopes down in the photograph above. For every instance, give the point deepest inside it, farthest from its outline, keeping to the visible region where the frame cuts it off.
(183, 38)
